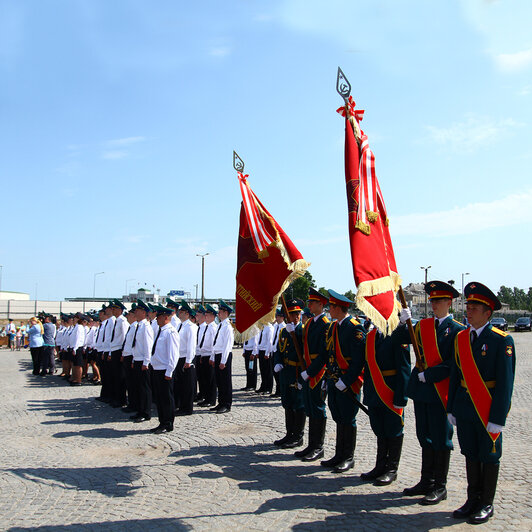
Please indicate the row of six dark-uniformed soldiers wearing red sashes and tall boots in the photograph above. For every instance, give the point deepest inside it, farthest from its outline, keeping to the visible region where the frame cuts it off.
(463, 378)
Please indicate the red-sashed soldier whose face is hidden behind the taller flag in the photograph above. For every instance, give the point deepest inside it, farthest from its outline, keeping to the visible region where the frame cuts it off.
(386, 376)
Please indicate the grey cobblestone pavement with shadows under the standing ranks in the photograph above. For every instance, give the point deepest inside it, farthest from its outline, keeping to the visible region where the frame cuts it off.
(69, 462)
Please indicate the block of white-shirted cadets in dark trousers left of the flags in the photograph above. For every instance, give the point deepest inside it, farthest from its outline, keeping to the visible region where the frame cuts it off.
(152, 353)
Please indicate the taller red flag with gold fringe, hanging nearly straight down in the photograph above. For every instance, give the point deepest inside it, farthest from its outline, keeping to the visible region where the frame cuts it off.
(372, 254)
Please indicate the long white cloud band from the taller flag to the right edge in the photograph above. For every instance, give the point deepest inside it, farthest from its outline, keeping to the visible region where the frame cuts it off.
(472, 218)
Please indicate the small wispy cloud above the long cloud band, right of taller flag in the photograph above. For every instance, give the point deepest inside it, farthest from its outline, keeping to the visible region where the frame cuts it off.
(473, 132)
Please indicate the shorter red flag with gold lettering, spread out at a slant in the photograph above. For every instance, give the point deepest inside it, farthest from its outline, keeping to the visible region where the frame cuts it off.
(267, 263)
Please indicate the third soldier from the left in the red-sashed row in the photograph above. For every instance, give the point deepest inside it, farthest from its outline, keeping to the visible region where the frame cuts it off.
(345, 343)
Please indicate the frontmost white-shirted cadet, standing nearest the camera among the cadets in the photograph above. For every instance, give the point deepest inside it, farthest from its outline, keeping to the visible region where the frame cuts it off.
(164, 357)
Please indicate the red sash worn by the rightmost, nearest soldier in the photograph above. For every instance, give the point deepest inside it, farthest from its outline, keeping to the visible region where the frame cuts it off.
(479, 393)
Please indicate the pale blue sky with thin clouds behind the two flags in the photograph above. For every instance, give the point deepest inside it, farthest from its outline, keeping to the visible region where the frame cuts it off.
(119, 120)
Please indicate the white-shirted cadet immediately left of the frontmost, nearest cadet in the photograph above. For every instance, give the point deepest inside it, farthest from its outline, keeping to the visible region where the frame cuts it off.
(141, 348)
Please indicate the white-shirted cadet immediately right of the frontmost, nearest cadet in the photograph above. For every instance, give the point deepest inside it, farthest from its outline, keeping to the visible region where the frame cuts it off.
(185, 373)
